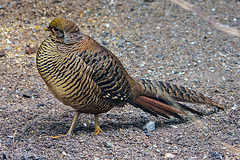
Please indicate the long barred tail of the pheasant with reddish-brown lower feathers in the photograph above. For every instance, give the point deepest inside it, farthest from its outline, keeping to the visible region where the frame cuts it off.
(159, 98)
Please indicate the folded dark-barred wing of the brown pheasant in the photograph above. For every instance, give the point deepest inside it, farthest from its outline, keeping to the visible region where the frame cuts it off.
(108, 72)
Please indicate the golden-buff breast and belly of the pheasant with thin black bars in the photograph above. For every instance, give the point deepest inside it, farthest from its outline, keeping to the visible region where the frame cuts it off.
(70, 79)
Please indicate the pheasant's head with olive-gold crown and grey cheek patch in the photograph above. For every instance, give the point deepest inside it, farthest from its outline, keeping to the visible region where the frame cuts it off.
(64, 31)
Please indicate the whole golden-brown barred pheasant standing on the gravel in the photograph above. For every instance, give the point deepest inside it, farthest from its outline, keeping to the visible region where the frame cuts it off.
(85, 75)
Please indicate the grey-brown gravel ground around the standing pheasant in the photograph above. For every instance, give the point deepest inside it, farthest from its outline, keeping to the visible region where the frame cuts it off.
(154, 40)
